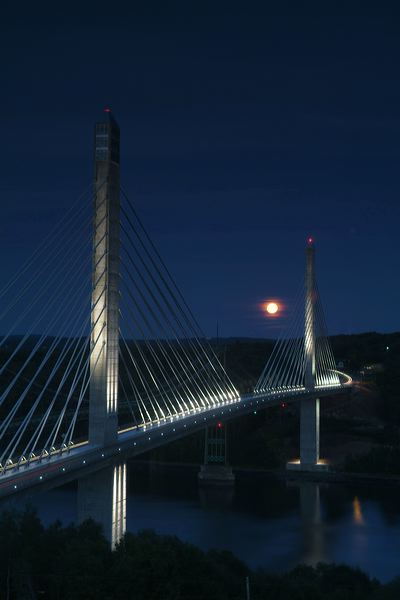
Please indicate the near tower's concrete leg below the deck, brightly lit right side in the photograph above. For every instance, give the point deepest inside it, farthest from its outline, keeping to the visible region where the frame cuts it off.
(102, 497)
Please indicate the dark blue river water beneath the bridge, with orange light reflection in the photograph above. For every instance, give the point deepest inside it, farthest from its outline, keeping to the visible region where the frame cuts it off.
(264, 521)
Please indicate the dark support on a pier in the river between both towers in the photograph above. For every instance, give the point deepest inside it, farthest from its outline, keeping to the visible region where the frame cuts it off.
(216, 470)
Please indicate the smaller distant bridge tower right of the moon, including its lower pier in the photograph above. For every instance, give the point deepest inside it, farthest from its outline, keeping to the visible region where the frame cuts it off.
(309, 407)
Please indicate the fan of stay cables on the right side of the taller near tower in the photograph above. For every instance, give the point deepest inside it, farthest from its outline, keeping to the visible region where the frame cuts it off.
(167, 368)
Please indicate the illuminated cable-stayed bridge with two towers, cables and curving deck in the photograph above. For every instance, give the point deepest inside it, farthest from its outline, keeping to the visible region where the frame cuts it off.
(101, 357)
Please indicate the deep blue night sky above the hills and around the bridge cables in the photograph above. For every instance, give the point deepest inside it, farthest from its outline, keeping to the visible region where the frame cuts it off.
(243, 131)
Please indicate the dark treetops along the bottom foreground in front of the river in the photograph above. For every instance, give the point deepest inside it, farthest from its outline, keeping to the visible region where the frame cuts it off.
(74, 563)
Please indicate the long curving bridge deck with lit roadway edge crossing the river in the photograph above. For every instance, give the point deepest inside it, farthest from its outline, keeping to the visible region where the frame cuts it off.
(70, 464)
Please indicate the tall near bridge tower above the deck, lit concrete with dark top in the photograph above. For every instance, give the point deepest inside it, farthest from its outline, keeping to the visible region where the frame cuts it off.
(103, 419)
